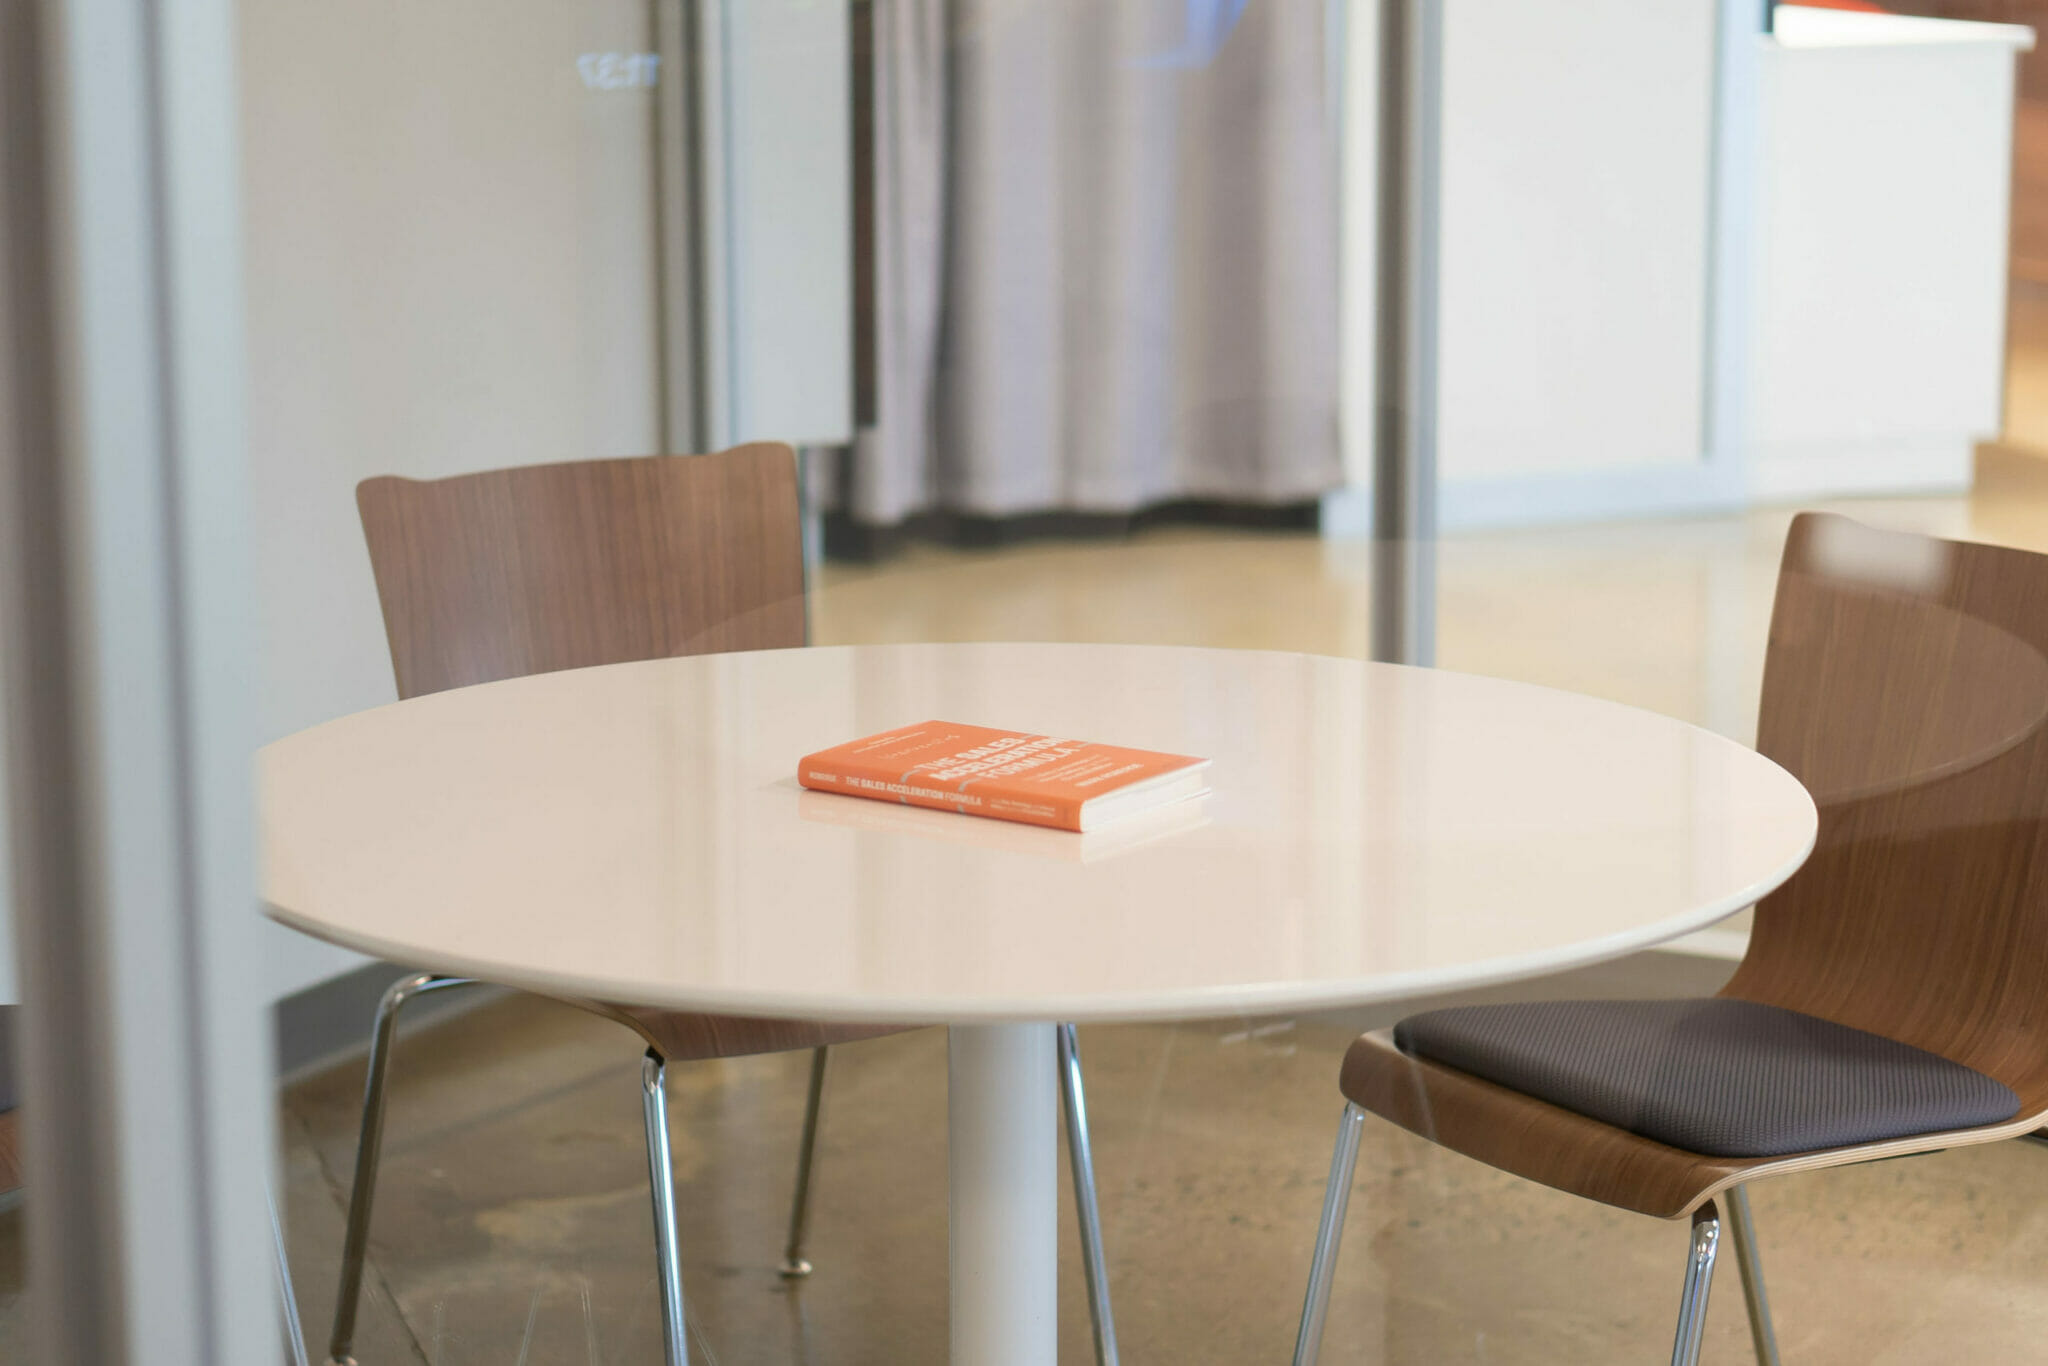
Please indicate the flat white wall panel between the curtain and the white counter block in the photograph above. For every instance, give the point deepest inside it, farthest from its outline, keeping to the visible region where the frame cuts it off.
(1576, 212)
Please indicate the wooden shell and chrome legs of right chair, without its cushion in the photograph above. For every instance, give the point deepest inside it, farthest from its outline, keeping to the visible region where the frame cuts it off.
(1908, 687)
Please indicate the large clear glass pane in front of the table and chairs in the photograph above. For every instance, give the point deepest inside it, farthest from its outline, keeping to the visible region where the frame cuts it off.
(1000, 339)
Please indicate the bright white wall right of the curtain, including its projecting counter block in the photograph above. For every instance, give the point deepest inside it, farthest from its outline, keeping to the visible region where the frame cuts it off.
(1619, 339)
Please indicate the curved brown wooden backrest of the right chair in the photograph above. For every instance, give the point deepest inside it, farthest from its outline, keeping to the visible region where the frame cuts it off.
(1908, 687)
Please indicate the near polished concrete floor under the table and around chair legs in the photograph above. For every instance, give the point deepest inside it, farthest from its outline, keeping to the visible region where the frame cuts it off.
(513, 1222)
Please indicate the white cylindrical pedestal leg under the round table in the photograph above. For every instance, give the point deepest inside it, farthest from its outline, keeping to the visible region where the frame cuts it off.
(1002, 1154)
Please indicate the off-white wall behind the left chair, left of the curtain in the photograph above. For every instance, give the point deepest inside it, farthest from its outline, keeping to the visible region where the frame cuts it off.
(454, 257)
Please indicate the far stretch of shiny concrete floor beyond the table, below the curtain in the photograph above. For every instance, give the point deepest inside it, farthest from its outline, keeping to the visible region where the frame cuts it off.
(1664, 613)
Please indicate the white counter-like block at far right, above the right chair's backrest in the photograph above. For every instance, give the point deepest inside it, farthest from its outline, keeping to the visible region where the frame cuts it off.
(1879, 343)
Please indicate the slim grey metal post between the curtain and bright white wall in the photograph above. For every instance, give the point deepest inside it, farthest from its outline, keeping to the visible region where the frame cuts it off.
(1406, 341)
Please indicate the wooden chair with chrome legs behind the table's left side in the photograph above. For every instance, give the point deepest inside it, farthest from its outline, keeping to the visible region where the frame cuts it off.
(564, 566)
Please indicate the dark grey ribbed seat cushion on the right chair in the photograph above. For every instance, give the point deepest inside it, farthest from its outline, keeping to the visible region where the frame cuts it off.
(1721, 1078)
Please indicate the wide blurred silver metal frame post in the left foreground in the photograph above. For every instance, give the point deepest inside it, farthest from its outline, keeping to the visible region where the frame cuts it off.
(126, 634)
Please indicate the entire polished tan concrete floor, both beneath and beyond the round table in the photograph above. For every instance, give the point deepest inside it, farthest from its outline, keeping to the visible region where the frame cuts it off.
(513, 1224)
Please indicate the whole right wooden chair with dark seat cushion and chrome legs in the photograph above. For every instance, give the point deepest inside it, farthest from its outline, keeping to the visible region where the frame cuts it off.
(1902, 976)
